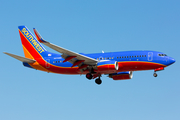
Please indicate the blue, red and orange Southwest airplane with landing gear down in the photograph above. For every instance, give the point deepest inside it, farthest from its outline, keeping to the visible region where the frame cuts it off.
(117, 65)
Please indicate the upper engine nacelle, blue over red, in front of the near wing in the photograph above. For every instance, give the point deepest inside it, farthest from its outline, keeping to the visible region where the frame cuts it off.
(107, 66)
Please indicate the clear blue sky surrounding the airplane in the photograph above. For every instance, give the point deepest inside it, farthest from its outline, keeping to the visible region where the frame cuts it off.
(90, 27)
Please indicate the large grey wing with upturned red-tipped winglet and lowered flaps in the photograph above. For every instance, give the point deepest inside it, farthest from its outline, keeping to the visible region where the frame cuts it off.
(70, 56)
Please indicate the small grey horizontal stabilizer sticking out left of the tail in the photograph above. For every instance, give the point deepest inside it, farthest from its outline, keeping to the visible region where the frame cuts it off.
(22, 59)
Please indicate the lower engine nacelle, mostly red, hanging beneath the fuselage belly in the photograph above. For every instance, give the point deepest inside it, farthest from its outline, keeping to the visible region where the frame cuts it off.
(121, 75)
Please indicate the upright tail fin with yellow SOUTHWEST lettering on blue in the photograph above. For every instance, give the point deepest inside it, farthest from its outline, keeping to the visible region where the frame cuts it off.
(31, 46)
